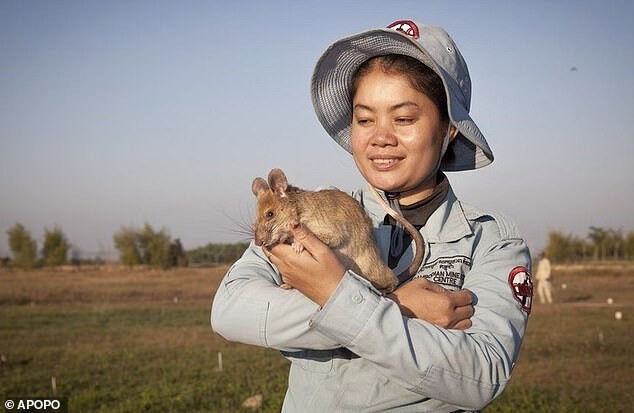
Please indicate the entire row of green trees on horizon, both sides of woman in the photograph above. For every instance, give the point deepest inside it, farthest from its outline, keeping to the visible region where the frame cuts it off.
(155, 248)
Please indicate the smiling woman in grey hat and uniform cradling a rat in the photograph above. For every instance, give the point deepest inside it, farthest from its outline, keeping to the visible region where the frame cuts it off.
(398, 100)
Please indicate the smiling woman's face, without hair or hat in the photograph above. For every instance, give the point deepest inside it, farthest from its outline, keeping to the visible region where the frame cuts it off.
(397, 135)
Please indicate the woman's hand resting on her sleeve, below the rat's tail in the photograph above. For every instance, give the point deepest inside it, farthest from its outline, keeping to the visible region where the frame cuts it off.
(427, 301)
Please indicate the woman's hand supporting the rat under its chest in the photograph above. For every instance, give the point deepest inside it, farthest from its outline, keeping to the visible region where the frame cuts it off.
(315, 271)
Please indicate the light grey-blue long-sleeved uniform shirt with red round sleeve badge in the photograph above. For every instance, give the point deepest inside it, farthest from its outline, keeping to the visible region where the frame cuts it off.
(359, 354)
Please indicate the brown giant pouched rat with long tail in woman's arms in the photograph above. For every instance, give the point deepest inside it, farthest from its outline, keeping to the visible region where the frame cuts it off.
(336, 218)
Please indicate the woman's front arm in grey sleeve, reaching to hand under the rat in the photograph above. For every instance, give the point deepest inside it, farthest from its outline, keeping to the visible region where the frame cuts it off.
(466, 368)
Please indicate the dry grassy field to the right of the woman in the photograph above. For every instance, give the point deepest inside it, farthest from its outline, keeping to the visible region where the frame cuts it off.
(576, 356)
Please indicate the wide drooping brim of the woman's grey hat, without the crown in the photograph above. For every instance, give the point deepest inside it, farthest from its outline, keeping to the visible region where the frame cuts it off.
(331, 88)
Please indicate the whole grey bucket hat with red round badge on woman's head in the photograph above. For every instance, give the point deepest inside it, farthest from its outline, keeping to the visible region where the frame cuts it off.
(332, 81)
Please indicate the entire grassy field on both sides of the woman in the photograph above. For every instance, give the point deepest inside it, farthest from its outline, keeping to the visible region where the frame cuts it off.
(130, 341)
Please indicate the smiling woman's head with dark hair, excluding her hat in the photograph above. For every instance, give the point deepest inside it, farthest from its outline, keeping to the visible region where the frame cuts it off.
(400, 125)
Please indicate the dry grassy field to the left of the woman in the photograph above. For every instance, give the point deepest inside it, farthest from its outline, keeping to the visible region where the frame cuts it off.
(127, 341)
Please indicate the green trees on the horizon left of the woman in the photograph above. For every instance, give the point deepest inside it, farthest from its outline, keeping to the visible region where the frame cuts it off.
(136, 246)
